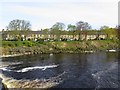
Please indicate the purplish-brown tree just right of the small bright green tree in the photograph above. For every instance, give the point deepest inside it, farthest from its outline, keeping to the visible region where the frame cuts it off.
(83, 26)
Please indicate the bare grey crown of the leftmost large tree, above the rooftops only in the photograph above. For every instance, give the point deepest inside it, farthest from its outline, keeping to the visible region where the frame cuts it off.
(19, 25)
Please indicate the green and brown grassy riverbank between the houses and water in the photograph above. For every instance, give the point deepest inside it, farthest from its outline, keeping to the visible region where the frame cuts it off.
(30, 47)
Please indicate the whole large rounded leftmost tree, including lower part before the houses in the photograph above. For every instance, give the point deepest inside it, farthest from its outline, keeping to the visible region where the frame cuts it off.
(18, 27)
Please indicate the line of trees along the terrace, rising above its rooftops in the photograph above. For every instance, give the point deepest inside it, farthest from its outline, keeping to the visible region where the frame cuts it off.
(80, 28)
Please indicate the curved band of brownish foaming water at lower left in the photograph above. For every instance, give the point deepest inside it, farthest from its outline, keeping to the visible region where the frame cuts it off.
(37, 83)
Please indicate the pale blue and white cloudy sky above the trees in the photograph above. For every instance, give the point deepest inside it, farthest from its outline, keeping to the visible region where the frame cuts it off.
(45, 13)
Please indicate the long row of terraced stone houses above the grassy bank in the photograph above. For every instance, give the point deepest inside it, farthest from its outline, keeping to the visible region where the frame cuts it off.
(35, 35)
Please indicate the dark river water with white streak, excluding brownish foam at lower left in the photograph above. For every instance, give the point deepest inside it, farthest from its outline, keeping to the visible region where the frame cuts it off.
(91, 70)
